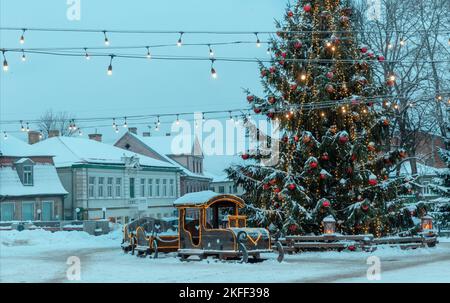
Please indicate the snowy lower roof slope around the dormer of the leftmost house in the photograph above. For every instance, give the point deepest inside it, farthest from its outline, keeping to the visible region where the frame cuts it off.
(45, 182)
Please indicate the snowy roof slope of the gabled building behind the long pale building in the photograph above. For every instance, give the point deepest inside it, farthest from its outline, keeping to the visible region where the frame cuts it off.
(162, 144)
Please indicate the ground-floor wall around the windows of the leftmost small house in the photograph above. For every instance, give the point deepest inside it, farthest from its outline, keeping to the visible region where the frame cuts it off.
(37, 202)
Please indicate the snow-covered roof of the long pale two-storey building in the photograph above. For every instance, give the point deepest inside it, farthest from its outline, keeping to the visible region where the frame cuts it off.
(69, 151)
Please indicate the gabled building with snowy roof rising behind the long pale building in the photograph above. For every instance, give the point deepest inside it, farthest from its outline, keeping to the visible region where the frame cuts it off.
(189, 160)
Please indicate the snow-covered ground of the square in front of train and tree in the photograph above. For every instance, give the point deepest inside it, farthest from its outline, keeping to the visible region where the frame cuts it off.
(40, 256)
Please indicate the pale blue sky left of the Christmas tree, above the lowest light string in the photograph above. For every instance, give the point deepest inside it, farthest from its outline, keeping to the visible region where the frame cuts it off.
(137, 86)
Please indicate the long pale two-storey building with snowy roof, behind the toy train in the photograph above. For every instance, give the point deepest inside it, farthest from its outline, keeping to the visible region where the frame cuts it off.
(105, 182)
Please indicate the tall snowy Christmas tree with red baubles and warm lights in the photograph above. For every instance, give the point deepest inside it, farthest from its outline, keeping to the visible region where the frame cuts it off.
(334, 154)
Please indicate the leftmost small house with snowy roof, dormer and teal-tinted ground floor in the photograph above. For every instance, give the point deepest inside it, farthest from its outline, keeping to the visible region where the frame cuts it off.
(30, 189)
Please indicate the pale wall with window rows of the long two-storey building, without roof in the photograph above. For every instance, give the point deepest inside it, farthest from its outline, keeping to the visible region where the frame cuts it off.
(119, 207)
